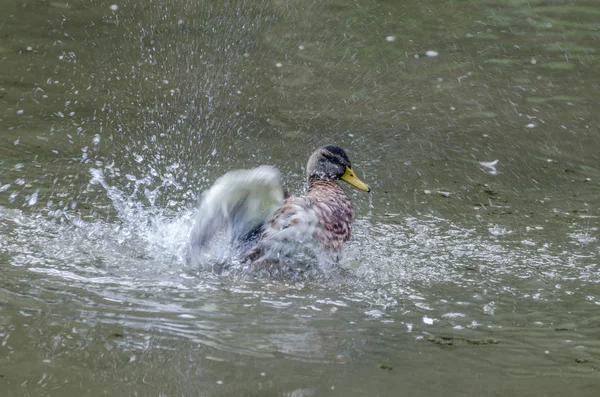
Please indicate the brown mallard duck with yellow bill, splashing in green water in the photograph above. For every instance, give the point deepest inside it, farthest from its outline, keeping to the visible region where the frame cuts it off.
(265, 224)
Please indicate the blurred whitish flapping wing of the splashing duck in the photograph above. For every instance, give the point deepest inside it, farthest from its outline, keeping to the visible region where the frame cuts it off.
(238, 204)
